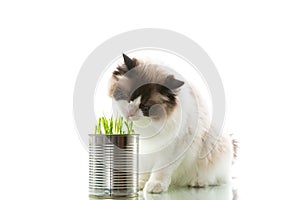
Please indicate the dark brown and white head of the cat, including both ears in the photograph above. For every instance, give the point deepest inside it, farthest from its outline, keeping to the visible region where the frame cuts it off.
(144, 90)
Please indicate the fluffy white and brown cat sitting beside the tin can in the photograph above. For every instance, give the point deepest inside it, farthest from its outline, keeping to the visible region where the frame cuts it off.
(178, 146)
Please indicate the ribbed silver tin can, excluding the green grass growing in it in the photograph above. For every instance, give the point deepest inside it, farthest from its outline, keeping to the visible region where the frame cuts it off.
(113, 166)
